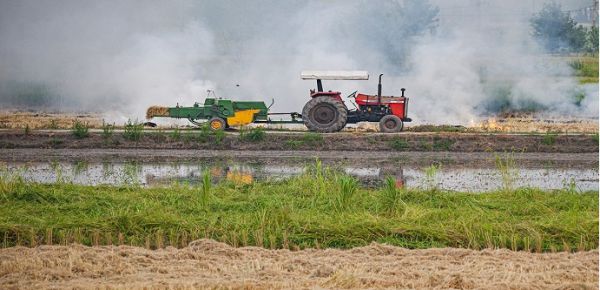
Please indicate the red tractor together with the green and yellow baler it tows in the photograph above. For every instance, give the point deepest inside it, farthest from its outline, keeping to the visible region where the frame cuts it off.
(325, 112)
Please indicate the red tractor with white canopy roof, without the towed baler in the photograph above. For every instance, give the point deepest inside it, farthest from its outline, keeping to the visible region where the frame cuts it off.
(326, 111)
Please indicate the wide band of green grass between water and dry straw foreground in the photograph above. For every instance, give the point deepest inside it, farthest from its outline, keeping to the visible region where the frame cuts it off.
(321, 208)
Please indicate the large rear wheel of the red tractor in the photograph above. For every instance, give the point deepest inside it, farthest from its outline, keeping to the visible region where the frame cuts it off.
(324, 114)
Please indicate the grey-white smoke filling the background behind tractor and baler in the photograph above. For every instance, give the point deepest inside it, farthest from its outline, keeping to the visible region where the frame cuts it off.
(475, 58)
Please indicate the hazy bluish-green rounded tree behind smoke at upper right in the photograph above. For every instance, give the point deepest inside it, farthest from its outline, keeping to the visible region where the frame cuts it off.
(557, 31)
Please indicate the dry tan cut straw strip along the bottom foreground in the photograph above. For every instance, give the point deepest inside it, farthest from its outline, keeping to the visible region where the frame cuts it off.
(209, 264)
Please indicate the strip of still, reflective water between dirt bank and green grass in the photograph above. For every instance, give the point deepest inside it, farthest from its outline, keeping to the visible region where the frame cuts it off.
(165, 174)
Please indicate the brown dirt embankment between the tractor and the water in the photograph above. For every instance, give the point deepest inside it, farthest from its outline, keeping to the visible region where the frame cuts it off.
(454, 142)
